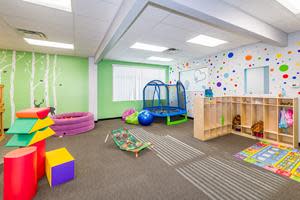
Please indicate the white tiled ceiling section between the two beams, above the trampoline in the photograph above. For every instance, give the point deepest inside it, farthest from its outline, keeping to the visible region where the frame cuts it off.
(160, 27)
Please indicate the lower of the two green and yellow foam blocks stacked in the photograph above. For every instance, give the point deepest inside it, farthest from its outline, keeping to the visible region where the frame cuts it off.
(23, 140)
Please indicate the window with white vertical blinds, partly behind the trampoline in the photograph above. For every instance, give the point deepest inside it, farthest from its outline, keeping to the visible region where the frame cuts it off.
(129, 81)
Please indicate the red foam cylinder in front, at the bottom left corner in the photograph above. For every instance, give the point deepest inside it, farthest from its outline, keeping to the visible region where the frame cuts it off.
(20, 176)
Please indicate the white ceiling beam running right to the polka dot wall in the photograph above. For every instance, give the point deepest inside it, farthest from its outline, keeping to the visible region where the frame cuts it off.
(223, 15)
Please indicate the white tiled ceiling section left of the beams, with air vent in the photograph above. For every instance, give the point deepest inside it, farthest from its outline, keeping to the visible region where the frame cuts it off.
(85, 27)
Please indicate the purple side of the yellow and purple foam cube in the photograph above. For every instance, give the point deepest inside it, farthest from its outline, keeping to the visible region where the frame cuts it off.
(63, 173)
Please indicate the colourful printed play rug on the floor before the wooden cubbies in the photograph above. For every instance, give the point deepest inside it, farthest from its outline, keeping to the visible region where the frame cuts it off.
(276, 158)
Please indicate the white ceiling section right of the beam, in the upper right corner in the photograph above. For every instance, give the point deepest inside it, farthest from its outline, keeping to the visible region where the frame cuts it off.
(271, 12)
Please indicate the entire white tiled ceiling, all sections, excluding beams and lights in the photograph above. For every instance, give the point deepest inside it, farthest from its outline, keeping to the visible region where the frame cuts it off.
(86, 26)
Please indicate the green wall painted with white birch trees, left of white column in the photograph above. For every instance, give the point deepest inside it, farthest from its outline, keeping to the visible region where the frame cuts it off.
(67, 82)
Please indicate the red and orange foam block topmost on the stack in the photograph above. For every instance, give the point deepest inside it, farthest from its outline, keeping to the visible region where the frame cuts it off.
(40, 113)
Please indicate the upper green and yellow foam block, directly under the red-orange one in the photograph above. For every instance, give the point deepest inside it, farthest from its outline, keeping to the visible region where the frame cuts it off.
(29, 125)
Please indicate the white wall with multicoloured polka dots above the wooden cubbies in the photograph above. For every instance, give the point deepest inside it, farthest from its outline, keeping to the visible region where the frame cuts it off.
(226, 69)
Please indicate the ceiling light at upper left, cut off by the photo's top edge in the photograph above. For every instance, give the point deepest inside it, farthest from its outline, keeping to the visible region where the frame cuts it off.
(64, 5)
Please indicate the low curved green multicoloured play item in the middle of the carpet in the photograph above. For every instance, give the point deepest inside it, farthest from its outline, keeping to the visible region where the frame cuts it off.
(127, 142)
